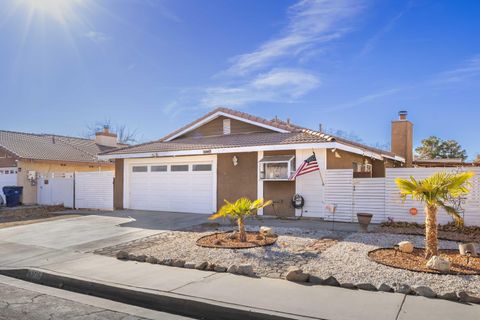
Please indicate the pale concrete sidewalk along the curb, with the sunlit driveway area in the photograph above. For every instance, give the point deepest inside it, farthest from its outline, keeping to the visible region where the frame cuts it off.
(58, 248)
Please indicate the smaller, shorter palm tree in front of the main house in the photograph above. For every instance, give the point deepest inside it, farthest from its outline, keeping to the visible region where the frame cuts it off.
(241, 209)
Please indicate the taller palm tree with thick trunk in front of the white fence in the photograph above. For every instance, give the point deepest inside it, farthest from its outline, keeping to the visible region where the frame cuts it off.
(436, 192)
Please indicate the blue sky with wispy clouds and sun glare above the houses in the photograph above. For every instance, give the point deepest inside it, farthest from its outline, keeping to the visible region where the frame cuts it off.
(155, 65)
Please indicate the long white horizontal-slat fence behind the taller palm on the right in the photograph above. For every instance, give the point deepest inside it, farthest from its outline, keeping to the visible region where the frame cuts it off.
(381, 197)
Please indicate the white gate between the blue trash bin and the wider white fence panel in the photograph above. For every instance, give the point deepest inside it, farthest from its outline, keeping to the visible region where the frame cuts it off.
(55, 189)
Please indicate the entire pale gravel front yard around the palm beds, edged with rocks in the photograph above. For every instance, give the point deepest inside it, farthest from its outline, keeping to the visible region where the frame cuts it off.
(322, 254)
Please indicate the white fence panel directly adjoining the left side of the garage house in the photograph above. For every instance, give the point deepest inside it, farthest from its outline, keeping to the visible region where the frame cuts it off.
(94, 190)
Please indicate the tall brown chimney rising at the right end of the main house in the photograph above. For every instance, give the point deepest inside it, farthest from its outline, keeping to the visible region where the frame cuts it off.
(402, 138)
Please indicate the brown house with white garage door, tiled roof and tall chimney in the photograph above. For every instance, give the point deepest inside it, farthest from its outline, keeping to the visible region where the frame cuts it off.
(227, 154)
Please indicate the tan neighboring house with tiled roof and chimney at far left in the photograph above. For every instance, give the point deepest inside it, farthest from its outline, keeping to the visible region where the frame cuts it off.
(27, 159)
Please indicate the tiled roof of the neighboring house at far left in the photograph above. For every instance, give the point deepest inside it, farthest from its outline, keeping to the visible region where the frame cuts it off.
(51, 147)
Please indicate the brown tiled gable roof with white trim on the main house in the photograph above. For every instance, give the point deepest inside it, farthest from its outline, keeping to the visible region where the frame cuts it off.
(283, 133)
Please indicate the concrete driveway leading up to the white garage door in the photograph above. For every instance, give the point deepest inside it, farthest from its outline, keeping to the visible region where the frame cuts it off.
(95, 230)
